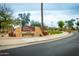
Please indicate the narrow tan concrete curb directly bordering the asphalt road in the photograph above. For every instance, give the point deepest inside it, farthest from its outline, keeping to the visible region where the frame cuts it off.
(4, 47)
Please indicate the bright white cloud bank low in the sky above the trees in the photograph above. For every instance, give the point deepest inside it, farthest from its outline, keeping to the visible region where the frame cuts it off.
(49, 16)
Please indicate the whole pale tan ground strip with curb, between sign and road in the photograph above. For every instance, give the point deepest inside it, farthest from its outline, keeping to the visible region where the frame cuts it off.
(8, 43)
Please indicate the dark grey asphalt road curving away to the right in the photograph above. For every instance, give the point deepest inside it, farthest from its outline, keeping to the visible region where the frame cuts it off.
(65, 47)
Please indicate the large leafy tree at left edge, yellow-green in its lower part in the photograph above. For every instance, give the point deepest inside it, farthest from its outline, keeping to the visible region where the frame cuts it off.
(5, 17)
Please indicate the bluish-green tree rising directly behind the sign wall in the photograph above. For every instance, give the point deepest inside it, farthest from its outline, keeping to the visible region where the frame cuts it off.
(25, 18)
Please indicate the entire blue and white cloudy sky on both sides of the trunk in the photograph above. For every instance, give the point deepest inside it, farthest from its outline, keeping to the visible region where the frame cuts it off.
(53, 12)
